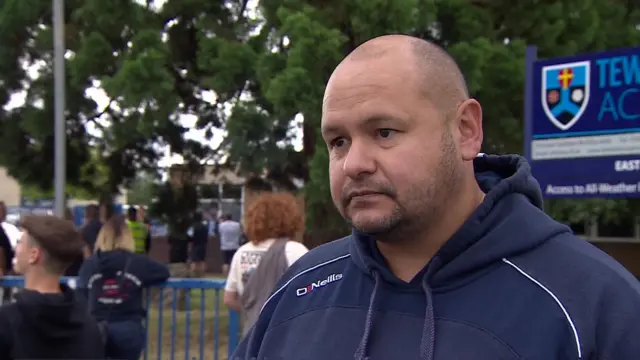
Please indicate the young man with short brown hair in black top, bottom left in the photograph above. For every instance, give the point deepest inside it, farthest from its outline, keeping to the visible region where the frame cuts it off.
(47, 321)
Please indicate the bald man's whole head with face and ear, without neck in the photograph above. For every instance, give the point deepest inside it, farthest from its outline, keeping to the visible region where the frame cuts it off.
(399, 126)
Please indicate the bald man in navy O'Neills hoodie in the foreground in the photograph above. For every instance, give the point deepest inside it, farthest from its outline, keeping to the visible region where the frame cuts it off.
(451, 256)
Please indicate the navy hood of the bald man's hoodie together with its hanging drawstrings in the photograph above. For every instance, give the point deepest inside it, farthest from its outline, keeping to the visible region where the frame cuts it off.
(492, 233)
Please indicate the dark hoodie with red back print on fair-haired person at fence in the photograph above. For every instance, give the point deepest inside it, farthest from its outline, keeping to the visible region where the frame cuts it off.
(100, 281)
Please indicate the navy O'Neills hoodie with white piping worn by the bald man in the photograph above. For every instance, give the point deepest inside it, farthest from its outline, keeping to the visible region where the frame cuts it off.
(511, 283)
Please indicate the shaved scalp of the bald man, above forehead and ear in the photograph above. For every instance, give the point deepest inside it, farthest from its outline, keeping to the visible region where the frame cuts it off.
(439, 77)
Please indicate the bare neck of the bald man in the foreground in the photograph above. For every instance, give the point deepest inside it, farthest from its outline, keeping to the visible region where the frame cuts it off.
(408, 258)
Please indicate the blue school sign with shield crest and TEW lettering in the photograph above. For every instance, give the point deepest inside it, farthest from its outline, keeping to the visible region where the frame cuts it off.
(582, 123)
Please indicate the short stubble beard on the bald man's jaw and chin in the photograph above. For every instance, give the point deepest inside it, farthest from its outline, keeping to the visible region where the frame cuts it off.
(423, 201)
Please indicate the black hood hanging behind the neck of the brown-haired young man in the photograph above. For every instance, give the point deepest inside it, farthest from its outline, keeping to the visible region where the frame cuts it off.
(53, 316)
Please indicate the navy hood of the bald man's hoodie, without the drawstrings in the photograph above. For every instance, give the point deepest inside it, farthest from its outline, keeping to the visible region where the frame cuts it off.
(487, 236)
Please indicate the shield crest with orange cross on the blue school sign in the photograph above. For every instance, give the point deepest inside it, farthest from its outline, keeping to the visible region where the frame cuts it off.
(565, 92)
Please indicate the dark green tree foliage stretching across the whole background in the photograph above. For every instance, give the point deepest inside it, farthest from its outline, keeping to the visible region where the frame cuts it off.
(252, 70)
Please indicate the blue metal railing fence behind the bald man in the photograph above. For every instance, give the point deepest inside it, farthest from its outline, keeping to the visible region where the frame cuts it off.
(197, 327)
